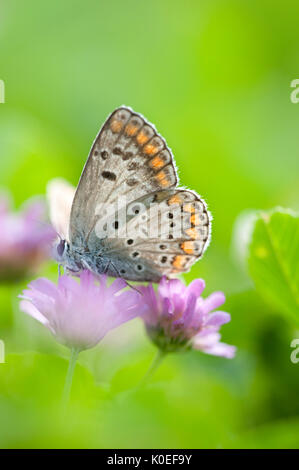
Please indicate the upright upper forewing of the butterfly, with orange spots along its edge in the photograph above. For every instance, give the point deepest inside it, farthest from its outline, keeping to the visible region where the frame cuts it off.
(128, 160)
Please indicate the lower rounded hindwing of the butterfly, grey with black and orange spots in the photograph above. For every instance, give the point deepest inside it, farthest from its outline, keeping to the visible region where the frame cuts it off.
(163, 233)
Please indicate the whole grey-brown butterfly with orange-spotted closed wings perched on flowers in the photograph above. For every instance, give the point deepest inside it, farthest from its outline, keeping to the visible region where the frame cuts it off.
(127, 217)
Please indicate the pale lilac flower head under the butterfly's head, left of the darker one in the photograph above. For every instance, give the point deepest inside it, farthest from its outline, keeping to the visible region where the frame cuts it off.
(80, 313)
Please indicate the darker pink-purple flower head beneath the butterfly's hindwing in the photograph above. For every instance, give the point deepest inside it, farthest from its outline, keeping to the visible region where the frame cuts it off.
(177, 317)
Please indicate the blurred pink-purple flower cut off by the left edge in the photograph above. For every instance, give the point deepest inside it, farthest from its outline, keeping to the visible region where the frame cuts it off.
(25, 240)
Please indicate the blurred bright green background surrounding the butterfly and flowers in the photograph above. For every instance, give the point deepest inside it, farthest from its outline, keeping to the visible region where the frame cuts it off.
(214, 76)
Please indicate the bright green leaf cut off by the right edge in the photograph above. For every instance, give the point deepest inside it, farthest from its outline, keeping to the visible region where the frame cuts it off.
(274, 260)
